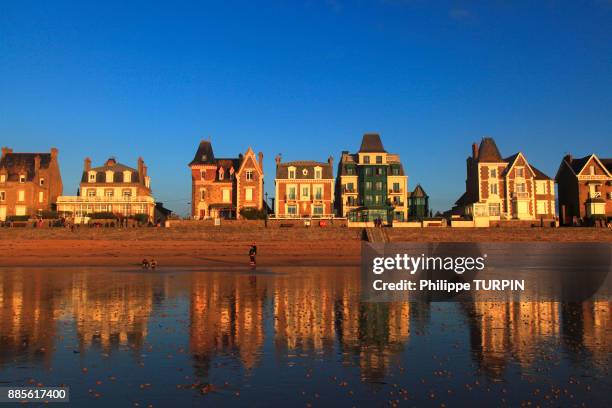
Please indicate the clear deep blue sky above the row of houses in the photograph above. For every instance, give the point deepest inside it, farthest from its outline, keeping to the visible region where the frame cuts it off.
(305, 79)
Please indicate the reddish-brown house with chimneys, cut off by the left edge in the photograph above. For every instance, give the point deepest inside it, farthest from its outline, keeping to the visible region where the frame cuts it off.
(29, 183)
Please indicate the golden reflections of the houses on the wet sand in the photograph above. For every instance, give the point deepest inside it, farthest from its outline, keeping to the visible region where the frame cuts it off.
(300, 312)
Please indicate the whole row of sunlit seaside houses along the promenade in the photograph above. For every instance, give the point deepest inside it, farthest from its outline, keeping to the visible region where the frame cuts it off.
(370, 184)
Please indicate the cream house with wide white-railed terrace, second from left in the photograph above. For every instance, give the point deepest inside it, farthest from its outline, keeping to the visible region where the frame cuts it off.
(111, 188)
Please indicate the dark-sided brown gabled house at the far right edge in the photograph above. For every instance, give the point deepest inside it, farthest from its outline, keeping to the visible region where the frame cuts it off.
(584, 188)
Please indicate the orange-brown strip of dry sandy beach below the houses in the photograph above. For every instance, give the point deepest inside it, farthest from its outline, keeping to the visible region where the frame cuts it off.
(228, 246)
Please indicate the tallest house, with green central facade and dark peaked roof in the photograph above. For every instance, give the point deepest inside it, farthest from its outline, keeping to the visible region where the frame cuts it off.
(371, 184)
